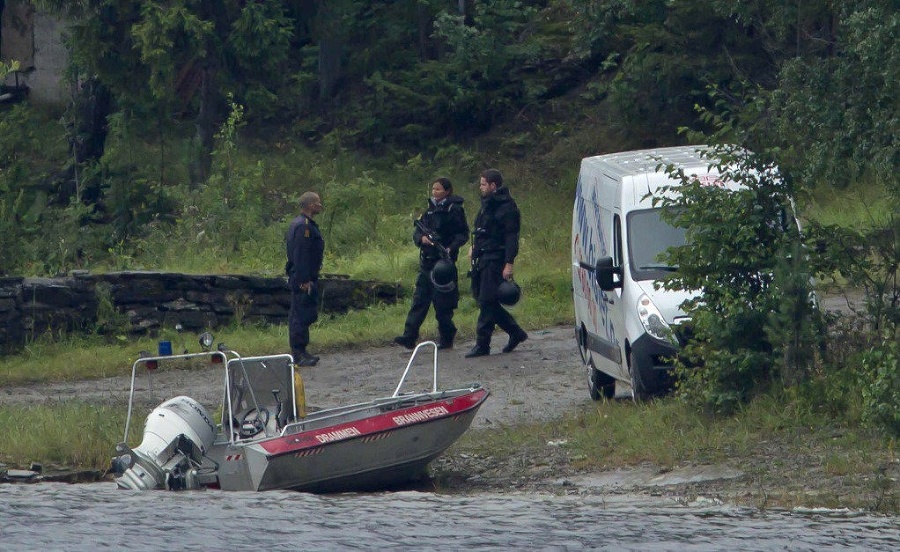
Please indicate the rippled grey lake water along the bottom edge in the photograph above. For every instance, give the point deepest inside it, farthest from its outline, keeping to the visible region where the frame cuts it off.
(57, 516)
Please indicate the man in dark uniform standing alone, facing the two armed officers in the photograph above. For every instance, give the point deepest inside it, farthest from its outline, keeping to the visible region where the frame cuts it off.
(305, 250)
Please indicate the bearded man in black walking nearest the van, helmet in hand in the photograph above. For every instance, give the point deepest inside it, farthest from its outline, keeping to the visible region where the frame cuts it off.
(494, 249)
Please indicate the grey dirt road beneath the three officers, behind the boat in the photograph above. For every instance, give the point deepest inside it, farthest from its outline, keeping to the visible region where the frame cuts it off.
(542, 378)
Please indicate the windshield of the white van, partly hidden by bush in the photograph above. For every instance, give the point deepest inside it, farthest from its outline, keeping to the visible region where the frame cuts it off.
(648, 236)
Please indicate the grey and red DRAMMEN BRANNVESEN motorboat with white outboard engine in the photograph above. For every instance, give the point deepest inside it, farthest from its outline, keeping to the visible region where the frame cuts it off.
(265, 439)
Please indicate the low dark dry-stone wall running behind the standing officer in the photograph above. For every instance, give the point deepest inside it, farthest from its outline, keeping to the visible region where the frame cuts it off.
(144, 302)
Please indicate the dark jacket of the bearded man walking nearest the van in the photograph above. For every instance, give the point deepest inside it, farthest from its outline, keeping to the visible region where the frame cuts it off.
(496, 234)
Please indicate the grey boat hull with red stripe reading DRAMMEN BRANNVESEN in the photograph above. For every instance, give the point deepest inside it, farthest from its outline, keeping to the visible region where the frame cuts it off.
(391, 444)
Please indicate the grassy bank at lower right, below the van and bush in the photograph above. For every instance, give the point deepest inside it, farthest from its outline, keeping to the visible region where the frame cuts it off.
(789, 461)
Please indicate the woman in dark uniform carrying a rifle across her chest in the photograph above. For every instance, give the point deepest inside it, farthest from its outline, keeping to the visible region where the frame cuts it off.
(439, 233)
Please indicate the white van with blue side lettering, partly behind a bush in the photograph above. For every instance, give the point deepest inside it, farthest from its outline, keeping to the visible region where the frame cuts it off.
(622, 322)
